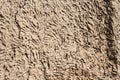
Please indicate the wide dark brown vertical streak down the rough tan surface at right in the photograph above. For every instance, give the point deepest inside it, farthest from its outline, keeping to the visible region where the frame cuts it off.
(111, 47)
